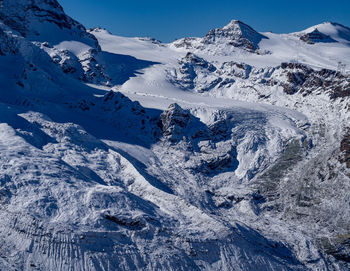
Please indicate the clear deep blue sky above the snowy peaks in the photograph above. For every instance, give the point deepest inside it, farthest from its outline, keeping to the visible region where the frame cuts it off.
(168, 20)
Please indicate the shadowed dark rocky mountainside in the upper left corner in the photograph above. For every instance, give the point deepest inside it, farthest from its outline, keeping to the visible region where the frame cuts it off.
(46, 24)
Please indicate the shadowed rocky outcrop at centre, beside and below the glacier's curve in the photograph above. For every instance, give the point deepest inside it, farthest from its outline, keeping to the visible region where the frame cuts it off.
(214, 147)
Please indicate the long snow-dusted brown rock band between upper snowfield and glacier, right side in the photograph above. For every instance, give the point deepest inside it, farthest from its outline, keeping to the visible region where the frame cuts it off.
(195, 73)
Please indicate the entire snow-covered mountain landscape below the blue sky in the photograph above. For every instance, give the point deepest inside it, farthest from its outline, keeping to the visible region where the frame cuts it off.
(227, 152)
